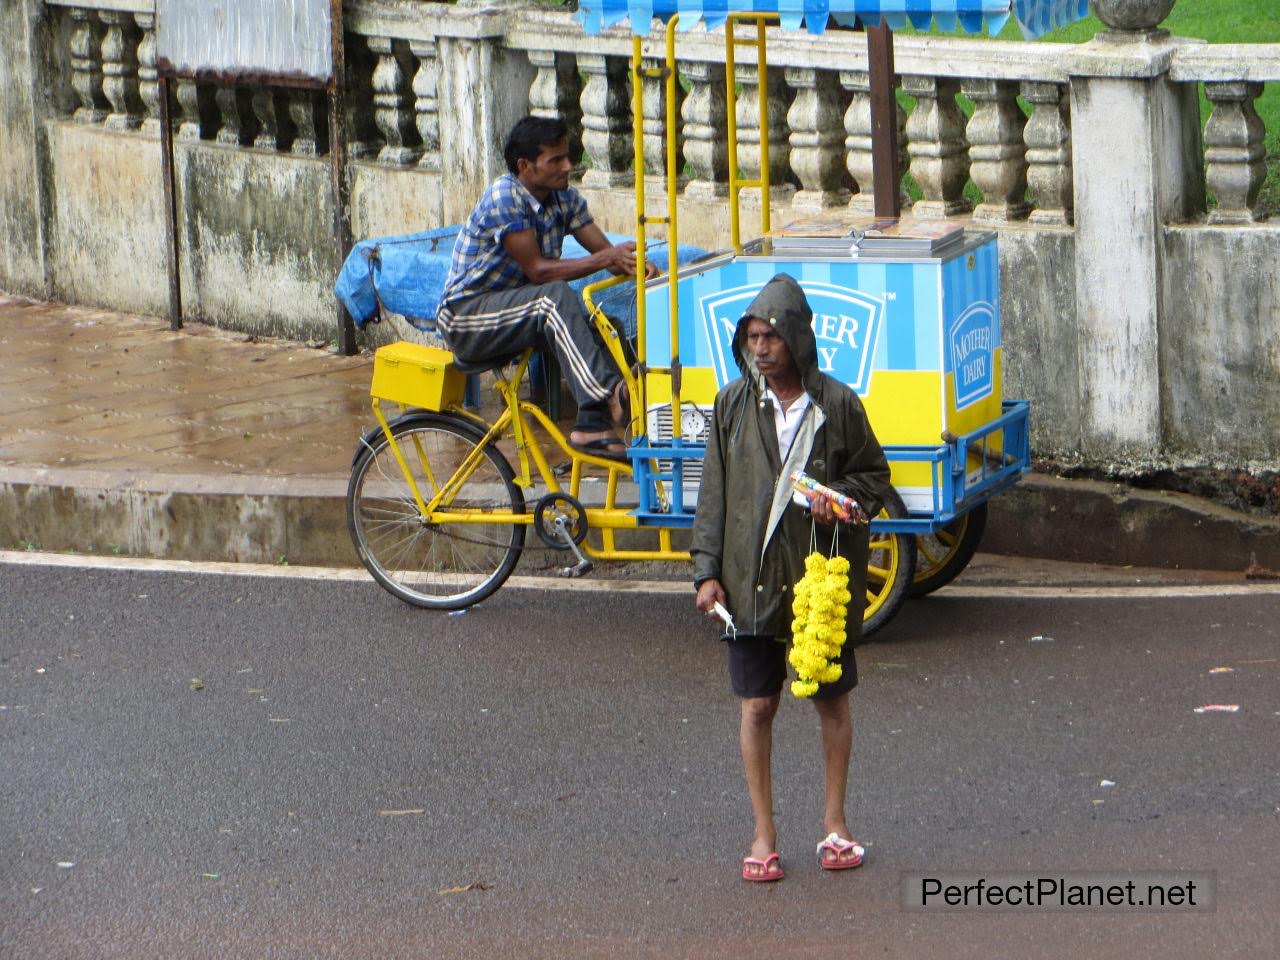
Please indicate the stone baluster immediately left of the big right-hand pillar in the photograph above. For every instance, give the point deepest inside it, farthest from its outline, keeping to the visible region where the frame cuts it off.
(1049, 153)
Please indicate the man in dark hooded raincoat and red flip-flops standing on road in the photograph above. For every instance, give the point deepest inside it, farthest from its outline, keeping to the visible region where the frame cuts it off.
(751, 540)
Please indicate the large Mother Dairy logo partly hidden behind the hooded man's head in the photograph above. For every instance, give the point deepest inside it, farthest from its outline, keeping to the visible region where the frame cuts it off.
(845, 323)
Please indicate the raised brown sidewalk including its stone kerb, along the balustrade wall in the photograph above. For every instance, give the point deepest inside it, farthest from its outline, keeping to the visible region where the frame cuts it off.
(118, 436)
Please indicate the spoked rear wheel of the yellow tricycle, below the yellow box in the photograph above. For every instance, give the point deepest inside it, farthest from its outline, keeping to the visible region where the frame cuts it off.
(437, 565)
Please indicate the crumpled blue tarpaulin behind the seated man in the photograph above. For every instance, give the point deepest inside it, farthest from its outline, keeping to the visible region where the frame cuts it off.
(406, 276)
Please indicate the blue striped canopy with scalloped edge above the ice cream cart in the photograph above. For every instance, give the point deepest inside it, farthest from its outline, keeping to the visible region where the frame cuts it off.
(1036, 17)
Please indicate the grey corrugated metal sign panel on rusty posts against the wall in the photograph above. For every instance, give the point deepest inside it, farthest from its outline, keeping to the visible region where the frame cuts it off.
(281, 40)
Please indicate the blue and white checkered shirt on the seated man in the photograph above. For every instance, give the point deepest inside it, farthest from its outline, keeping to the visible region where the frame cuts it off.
(481, 264)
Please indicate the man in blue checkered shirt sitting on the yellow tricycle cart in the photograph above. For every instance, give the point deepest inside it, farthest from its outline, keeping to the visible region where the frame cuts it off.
(509, 289)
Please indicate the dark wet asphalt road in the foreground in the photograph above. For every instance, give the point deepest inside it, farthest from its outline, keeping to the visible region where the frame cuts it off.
(232, 767)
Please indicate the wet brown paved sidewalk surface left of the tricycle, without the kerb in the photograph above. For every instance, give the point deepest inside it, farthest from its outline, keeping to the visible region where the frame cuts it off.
(112, 392)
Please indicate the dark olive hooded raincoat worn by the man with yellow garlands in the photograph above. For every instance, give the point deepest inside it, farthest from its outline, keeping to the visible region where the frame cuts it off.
(749, 534)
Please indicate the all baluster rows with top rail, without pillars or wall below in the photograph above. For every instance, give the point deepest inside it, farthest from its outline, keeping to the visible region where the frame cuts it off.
(1014, 147)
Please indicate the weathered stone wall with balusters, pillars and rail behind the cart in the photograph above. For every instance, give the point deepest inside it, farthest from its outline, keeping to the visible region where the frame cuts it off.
(1137, 264)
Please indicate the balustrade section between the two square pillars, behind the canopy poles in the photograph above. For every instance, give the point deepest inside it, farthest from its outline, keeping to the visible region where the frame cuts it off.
(821, 126)
